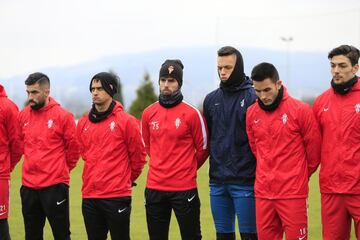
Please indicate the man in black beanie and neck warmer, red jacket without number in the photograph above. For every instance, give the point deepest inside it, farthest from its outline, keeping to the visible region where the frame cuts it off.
(114, 156)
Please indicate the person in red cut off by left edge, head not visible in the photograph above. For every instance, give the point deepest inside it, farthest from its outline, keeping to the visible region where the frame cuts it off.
(10, 154)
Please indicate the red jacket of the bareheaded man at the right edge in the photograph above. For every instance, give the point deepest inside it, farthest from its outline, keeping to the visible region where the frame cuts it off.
(339, 119)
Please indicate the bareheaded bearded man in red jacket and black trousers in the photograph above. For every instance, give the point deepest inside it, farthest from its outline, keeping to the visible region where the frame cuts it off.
(50, 153)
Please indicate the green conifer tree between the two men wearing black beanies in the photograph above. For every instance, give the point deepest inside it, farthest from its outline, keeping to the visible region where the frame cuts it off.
(145, 96)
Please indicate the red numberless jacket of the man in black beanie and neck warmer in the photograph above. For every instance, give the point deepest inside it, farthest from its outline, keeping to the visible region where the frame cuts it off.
(113, 153)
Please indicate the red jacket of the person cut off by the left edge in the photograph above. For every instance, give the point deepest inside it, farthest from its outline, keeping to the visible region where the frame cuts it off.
(10, 143)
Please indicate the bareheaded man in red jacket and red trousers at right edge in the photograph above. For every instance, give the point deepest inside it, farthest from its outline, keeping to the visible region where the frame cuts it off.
(338, 113)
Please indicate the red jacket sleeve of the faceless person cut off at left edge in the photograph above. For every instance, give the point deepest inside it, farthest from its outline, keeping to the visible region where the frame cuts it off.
(16, 145)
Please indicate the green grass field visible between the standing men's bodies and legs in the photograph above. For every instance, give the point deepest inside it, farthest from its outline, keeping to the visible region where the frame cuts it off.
(138, 220)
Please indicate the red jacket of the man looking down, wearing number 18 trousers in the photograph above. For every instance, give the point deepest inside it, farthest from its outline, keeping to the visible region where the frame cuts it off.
(286, 143)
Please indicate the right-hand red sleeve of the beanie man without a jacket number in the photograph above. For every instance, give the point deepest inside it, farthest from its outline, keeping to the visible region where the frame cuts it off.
(135, 146)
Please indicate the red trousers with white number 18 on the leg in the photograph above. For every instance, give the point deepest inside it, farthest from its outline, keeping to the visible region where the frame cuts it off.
(278, 216)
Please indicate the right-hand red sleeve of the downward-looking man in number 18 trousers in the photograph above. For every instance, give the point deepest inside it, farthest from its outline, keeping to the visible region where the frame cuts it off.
(310, 132)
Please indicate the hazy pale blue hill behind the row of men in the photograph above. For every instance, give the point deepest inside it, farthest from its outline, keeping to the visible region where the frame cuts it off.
(306, 74)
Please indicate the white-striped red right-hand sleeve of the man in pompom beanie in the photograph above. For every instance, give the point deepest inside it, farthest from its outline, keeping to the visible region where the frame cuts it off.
(200, 137)
